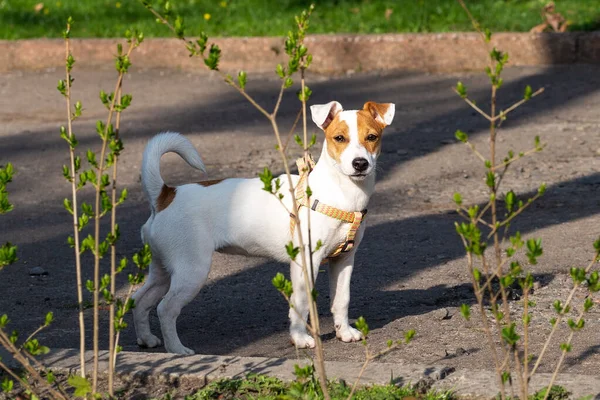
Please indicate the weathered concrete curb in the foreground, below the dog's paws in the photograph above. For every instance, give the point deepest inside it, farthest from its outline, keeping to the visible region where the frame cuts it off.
(198, 370)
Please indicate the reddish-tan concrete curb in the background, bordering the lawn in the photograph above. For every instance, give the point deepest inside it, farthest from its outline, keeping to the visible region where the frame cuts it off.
(333, 54)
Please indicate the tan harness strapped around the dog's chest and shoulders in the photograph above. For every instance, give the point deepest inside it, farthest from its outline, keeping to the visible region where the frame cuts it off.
(354, 218)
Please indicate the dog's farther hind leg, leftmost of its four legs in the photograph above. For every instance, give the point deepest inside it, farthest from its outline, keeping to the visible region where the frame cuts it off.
(147, 297)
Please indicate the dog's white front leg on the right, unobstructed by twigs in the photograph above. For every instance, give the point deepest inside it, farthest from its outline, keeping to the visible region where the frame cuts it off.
(340, 271)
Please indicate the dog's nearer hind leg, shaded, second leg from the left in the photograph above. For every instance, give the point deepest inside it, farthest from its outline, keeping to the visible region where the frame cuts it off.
(188, 277)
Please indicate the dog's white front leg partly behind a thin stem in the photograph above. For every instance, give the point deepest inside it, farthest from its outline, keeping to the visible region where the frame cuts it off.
(299, 310)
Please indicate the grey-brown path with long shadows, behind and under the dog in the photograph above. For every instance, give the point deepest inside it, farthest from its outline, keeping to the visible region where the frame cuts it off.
(410, 270)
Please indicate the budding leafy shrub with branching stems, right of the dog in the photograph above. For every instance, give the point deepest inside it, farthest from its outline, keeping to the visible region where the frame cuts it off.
(486, 230)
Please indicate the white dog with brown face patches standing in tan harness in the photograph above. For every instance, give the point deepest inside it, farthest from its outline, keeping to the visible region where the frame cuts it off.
(236, 216)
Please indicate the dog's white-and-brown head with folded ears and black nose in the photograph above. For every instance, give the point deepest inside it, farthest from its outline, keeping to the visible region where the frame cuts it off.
(353, 137)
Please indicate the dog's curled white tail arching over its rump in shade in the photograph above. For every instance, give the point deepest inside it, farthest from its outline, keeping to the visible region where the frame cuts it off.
(152, 182)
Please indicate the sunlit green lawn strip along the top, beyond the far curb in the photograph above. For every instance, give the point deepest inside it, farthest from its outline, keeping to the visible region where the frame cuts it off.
(110, 18)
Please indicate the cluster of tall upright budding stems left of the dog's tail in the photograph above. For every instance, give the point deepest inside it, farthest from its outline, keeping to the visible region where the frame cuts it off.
(102, 176)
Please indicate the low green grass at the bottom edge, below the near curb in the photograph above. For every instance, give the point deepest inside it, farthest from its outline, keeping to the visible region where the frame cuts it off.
(267, 388)
